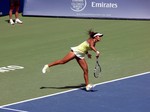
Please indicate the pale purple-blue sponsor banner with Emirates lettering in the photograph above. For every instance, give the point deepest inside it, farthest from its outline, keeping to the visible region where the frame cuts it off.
(127, 9)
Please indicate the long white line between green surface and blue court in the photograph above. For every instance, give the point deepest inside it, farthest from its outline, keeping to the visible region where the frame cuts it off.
(74, 89)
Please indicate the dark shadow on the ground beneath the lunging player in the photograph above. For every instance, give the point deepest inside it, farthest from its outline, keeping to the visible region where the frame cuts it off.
(81, 87)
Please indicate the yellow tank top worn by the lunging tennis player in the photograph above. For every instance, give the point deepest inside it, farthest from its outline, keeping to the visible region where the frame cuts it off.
(83, 47)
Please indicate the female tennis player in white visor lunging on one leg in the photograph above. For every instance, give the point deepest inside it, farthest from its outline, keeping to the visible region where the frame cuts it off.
(78, 53)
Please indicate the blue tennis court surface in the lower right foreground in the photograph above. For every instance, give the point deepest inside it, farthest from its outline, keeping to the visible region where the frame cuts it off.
(129, 94)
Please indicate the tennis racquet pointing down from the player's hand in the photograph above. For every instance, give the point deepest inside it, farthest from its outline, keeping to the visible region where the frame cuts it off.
(97, 69)
